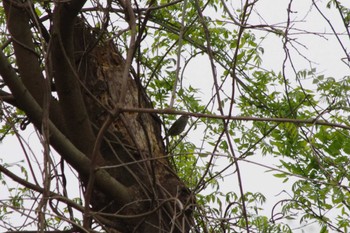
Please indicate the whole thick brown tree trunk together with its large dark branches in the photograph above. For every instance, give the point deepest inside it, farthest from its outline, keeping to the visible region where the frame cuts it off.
(88, 74)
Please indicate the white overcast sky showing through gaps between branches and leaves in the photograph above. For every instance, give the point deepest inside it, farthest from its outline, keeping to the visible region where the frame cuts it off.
(324, 52)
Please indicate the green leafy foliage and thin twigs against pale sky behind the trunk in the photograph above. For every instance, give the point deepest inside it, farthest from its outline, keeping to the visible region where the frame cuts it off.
(292, 116)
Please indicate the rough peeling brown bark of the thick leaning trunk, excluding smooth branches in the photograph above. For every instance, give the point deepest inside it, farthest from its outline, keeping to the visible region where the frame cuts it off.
(133, 148)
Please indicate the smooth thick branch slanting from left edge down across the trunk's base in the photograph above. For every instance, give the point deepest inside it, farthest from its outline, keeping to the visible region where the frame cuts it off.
(64, 147)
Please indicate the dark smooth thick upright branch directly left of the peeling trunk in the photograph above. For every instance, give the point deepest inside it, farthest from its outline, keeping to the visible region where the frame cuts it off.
(67, 78)
